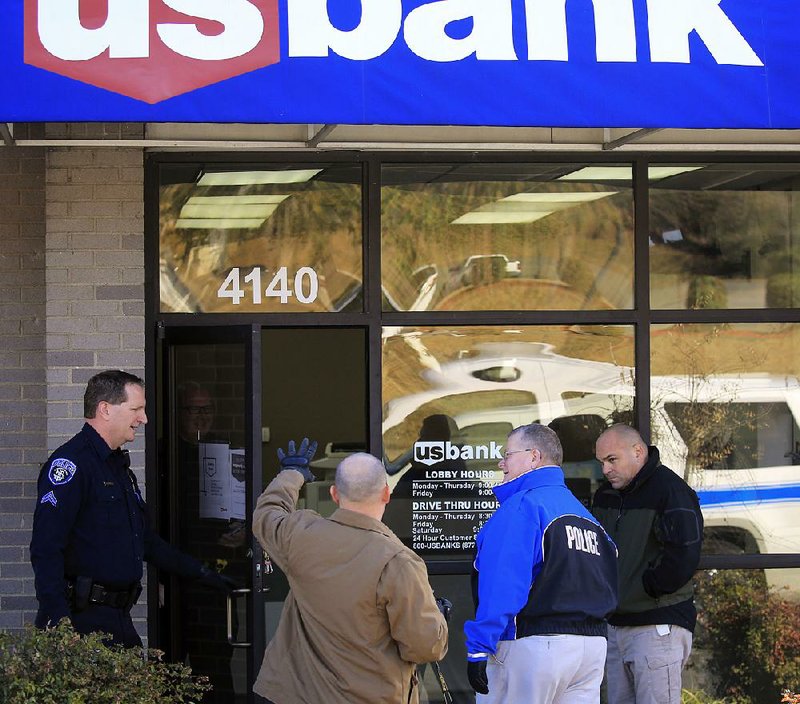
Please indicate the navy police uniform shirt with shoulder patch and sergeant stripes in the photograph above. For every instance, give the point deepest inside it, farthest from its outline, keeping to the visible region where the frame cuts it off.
(90, 521)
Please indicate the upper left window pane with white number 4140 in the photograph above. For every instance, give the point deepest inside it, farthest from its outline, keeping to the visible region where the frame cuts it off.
(269, 239)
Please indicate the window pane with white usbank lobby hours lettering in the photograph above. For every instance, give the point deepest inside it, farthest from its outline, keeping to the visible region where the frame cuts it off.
(451, 396)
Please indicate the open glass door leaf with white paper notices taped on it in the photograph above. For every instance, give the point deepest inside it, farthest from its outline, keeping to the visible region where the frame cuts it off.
(206, 454)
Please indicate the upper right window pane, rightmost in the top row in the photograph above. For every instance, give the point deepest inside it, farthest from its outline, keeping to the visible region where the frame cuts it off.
(723, 236)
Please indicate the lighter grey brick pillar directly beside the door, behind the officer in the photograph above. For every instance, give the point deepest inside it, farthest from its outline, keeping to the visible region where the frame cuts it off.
(95, 283)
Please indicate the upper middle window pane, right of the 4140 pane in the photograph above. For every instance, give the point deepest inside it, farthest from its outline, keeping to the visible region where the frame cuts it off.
(507, 237)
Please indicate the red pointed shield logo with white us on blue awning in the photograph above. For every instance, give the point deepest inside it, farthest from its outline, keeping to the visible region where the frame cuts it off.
(151, 50)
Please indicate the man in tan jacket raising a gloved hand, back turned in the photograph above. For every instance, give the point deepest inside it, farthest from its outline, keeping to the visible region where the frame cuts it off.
(360, 613)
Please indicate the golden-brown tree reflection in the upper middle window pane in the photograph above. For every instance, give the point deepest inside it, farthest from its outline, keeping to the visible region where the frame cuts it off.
(418, 230)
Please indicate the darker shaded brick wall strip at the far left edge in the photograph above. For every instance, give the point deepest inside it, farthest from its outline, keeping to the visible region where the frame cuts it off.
(22, 371)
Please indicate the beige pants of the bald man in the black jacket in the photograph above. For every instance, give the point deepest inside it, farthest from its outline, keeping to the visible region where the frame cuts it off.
(644, 667)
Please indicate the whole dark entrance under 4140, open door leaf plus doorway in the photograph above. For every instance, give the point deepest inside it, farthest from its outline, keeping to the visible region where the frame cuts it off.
(229, 398)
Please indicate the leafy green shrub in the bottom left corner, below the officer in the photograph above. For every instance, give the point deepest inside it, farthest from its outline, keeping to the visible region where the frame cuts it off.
(59, 666)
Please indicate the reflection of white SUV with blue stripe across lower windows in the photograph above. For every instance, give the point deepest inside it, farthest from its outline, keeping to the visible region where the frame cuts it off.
(736, 439)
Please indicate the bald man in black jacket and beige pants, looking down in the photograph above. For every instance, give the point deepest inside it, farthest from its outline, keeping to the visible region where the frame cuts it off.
(654, 518)
